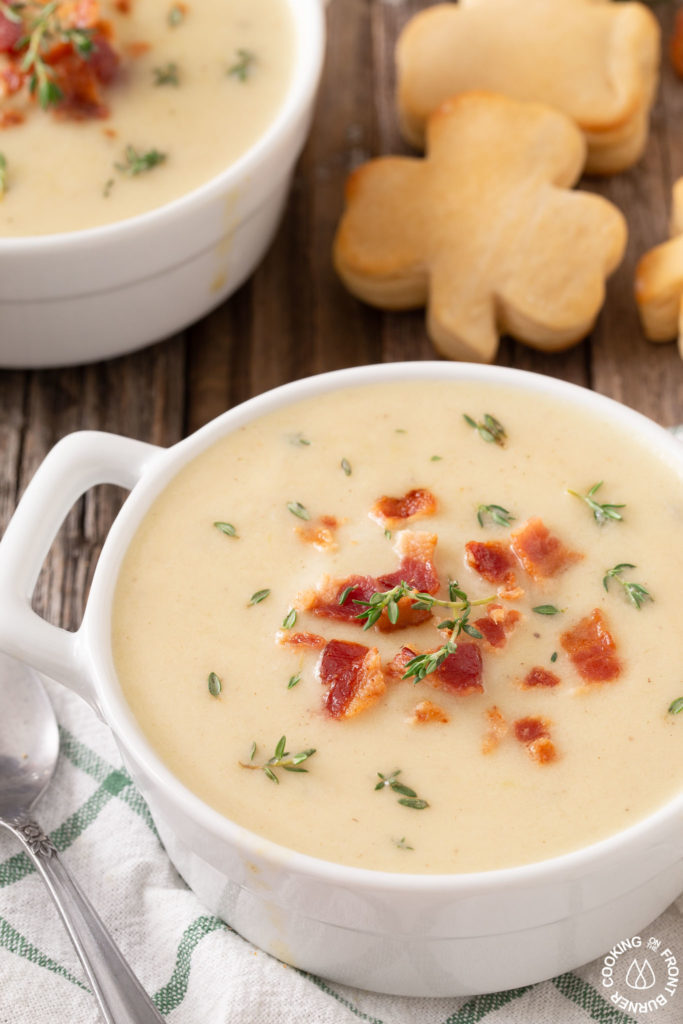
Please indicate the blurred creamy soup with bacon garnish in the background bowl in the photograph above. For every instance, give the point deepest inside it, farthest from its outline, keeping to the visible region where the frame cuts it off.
(111, 109)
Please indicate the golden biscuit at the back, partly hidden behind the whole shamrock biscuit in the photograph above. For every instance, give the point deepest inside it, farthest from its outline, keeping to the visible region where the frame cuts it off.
(594, 60)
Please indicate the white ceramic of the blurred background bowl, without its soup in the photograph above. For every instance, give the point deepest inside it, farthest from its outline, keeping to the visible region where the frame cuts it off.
(92, 294)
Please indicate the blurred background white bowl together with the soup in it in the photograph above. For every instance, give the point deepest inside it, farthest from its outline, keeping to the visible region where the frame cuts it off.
(146, 219)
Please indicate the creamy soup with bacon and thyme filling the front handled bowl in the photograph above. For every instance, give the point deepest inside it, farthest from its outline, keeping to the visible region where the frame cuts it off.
(517, 564)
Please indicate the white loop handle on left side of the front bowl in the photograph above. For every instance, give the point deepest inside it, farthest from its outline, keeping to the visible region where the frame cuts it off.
(77, 463)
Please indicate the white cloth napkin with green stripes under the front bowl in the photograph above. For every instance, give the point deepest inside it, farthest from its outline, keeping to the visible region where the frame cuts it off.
(197, 968)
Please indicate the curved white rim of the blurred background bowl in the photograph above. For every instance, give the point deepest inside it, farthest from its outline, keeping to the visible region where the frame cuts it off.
(310, 33)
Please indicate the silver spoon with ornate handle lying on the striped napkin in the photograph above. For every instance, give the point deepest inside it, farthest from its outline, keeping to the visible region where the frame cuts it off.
(29, 748)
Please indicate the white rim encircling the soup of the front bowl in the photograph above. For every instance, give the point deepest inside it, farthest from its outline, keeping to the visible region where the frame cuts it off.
(97, 633)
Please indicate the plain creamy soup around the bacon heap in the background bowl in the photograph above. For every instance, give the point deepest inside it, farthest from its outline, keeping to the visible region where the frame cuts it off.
(199, 90)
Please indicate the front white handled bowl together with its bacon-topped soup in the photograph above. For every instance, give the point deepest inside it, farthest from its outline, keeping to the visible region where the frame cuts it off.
(492, 794)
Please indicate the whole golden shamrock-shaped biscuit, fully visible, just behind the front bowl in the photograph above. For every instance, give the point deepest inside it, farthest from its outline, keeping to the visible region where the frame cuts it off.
(484, 231)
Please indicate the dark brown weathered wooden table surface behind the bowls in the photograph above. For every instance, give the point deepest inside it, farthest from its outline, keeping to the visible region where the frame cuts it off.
(294, 319)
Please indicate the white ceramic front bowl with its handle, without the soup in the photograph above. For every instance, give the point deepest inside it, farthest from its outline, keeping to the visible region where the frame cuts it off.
(409, 934)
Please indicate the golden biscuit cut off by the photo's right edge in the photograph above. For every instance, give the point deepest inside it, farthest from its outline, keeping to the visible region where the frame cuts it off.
(660, 282)
